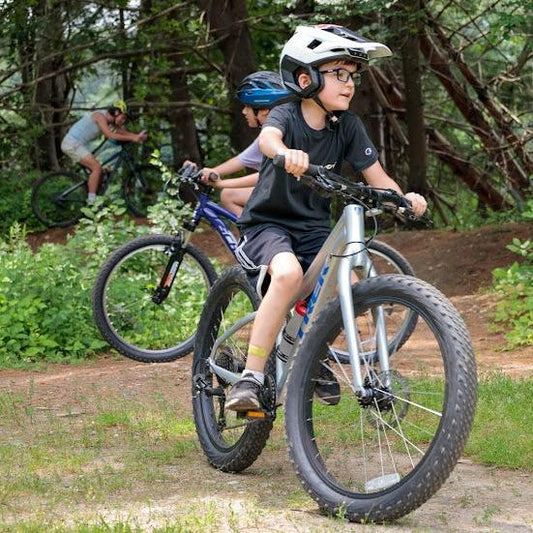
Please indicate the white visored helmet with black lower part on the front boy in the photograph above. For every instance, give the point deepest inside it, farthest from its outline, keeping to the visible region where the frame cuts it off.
(311, 46)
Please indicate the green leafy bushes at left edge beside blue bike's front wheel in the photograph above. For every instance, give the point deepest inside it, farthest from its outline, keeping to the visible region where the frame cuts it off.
(45, 296)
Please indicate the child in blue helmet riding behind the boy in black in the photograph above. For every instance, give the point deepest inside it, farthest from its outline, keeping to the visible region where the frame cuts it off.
(259, 92)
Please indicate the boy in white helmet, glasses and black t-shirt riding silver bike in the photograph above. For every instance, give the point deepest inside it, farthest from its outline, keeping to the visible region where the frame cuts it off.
(285, 223)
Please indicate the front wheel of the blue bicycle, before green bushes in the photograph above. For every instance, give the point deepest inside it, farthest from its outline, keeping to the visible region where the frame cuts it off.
(125, 308)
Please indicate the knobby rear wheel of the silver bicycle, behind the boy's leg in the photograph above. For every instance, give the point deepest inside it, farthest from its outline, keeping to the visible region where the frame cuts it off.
(231, 443)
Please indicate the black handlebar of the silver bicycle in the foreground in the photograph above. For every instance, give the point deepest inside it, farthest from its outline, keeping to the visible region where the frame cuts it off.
(328, 183)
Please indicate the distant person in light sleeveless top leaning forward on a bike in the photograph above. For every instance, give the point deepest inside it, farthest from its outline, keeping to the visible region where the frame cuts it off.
(76, 142)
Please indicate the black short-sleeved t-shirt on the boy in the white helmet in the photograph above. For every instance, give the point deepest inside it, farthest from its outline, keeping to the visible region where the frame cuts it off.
(279, 198)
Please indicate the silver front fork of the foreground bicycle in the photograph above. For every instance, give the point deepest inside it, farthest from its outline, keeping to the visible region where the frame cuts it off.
(356, 256)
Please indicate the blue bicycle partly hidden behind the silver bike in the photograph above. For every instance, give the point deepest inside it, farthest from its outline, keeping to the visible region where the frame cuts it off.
(150, 292)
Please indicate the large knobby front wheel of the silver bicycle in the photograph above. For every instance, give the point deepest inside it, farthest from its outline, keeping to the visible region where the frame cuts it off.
(378, 457)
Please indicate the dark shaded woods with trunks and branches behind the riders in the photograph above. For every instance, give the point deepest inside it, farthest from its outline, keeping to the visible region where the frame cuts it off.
(448, 111)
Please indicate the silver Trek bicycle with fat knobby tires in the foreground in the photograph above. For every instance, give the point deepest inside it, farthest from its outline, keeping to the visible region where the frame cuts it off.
(407, 394)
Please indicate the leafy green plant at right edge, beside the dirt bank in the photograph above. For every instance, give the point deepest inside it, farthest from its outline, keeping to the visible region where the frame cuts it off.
(514, 285)
